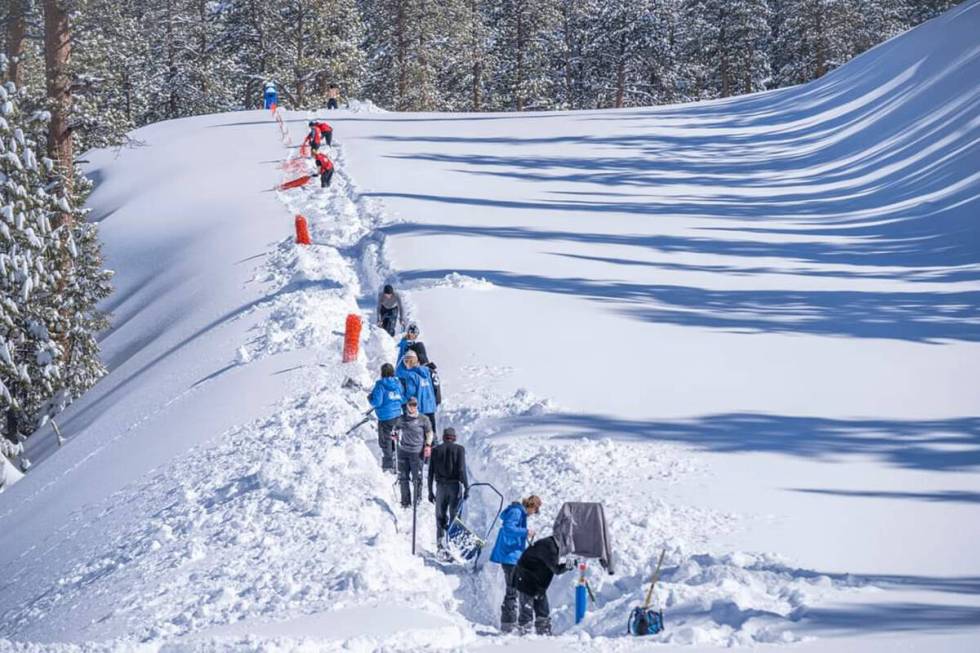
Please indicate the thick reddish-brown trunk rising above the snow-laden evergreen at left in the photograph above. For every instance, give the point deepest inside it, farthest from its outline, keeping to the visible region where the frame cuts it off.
(57, 55)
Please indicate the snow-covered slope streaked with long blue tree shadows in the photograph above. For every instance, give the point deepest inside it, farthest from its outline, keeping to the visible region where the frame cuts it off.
(750, 327)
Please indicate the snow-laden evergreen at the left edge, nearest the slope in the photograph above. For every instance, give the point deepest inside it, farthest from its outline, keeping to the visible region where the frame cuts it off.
(51, 276)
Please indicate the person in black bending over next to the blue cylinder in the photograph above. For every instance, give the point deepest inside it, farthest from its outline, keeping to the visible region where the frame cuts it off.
(532, 577)
